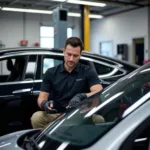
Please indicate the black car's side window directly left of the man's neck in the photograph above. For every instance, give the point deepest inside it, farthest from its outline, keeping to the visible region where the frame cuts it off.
(50, 62)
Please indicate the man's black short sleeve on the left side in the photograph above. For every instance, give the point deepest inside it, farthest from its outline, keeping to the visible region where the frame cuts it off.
(47, 84)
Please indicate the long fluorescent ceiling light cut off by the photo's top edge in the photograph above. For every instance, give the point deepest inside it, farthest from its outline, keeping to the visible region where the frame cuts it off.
(82, 2)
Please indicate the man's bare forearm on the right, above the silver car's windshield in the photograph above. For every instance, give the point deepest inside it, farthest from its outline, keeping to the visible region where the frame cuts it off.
(94, 89)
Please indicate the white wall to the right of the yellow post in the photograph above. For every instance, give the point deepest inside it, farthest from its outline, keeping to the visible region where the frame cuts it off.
(120, 29)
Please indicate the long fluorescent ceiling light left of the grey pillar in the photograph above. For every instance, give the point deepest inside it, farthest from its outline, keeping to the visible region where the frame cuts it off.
(27, 10)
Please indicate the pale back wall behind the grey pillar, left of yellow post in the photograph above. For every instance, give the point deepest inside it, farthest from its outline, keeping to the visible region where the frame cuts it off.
(13, 27)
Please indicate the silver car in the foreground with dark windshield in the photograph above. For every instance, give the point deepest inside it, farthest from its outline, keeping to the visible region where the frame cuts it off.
(116, 118)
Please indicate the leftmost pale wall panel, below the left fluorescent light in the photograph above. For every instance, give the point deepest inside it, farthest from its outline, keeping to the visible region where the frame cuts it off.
(11, 27)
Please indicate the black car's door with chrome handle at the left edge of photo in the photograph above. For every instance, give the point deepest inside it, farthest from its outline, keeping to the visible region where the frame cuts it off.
(15, 91)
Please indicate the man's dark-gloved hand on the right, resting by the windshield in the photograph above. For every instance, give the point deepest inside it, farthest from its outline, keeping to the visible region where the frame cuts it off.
(76, 100)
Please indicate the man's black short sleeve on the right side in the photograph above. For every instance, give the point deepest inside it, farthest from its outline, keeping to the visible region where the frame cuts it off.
(92, 77)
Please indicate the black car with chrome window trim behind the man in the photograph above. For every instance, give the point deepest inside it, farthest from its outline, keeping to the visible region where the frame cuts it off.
(22, 70)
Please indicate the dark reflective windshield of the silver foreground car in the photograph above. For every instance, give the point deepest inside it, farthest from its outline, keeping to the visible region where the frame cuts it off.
(101, 112)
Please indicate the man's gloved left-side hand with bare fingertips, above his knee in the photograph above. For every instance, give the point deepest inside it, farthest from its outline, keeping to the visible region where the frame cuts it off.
(48, 106)
